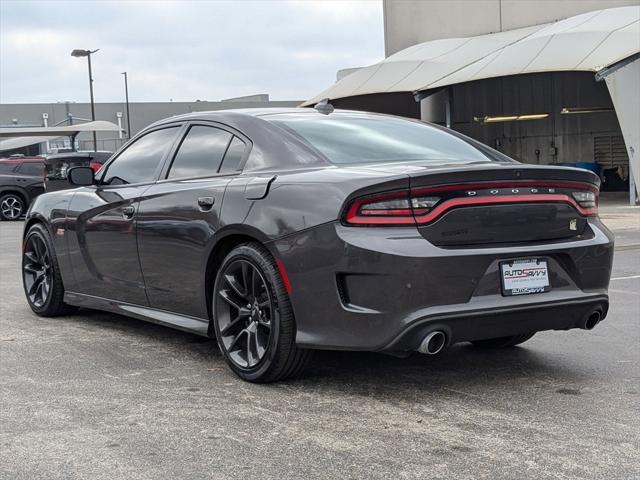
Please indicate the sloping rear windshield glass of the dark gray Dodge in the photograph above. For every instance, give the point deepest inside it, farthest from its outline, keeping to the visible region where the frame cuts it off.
(361, 138)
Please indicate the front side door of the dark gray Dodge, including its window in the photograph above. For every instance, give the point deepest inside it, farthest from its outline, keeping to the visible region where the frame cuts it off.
(102, 244)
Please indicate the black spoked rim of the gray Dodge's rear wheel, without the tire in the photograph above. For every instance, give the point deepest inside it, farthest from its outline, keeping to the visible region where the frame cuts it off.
(245, 313)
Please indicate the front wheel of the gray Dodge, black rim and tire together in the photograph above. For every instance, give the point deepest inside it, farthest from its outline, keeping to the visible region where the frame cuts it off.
(41, 277)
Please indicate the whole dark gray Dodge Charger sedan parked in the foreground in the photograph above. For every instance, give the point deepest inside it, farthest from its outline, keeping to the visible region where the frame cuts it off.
(278, 232)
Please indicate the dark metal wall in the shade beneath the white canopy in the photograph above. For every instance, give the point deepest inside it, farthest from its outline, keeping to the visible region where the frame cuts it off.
(558, 138)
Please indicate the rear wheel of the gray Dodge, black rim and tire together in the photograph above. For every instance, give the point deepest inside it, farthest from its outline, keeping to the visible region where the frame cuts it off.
(253, 319)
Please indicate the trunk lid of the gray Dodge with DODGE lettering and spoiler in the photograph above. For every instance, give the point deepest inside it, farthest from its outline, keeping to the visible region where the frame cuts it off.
(502, 203)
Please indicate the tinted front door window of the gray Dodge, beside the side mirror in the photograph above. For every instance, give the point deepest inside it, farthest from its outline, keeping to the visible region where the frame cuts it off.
(138, 163)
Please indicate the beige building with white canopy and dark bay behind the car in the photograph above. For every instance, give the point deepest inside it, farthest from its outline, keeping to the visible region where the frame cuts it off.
(546, 82)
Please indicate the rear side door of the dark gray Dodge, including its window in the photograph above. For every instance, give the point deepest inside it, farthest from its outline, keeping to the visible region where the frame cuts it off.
(181, 213)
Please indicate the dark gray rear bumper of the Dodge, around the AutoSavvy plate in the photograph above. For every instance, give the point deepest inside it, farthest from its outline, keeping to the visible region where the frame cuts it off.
(383, 289)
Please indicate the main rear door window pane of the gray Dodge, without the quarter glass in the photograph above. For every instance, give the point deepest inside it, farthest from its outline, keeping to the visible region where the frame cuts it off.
(200, 153)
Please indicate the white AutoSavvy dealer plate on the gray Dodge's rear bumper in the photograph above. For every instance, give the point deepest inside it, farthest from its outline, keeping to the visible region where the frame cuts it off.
(525, 276)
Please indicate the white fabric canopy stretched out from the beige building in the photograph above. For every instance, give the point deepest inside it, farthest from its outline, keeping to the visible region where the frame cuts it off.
(587, 42)
